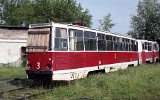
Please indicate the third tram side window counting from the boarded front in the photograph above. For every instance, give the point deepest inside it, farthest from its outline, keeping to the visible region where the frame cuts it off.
(90, 40)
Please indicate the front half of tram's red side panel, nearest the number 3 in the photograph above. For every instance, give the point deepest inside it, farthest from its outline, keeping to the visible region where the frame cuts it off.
(74, 60)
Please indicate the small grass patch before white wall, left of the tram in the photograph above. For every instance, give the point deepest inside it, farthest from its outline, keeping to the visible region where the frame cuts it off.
(10, 72)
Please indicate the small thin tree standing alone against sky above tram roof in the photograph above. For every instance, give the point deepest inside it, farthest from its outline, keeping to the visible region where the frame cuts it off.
(106, 23)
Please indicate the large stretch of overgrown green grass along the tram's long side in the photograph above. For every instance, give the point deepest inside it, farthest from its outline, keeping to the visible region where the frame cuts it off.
(138, 83)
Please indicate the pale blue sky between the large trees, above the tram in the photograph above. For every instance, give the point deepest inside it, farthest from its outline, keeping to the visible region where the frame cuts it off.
(121, 11)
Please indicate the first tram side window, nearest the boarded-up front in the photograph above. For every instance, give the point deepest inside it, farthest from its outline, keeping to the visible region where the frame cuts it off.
(61, 39)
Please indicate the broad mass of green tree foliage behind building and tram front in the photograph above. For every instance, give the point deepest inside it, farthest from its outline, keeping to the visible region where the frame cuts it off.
(16, 12)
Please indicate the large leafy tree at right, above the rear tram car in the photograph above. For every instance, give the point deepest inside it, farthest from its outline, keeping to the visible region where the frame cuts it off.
(146, 24)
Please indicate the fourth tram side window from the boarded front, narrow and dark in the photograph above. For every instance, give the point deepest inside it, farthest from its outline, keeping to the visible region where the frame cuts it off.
(101, 42)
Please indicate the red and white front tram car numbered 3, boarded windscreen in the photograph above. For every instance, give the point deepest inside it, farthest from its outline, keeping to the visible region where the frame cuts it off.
(68, 52)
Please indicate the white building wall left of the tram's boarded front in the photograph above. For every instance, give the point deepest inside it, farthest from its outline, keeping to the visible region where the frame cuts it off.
(10, 50)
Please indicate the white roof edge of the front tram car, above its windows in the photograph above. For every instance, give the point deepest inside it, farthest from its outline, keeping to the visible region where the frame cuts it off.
(52, 24)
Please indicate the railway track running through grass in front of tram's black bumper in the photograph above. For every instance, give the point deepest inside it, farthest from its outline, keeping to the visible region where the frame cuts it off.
(20, 89)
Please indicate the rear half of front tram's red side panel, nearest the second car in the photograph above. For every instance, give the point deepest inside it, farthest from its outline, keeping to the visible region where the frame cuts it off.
(120, 58)
